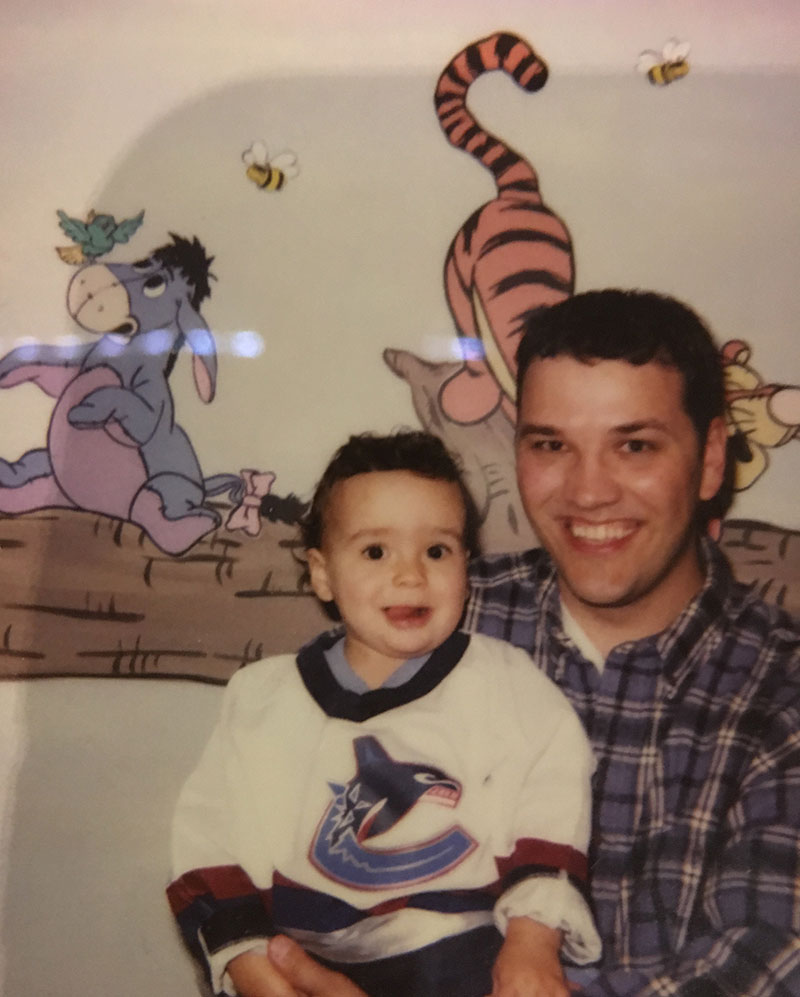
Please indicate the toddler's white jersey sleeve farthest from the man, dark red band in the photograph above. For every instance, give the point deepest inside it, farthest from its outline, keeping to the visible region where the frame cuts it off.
(220, 911)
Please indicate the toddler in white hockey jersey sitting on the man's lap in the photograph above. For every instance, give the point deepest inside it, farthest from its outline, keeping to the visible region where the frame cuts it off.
(409, 802)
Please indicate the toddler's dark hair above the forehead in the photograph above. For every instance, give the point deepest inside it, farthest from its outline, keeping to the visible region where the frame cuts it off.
(418, 452)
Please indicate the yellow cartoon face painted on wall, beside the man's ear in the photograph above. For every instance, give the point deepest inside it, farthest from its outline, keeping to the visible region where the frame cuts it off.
(759, 415)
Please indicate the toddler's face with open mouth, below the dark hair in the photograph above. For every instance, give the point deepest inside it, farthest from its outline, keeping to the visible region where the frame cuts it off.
(393, 560)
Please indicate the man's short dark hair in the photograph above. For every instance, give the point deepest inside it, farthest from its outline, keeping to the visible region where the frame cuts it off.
(637, 326)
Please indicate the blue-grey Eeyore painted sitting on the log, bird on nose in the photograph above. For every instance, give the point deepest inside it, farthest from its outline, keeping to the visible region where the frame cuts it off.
(113, 446)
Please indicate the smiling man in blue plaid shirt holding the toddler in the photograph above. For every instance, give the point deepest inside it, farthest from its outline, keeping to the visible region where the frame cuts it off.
(688, 685)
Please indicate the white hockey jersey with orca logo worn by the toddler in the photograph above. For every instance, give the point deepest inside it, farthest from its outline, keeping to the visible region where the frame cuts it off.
(372, 827)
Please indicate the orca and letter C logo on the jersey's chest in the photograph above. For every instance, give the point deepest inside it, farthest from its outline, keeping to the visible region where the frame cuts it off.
(380, 793)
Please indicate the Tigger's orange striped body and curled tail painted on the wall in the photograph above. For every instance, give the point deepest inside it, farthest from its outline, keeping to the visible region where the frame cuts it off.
(513, 256)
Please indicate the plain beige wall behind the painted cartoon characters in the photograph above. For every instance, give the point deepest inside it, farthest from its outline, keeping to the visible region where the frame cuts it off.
(691, 189)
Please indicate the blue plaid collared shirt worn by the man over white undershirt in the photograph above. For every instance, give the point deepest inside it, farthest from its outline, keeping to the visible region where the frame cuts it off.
(695, 858)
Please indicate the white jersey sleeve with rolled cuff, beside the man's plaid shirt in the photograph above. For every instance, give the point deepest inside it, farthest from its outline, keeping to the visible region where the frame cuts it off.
(544, 874)
